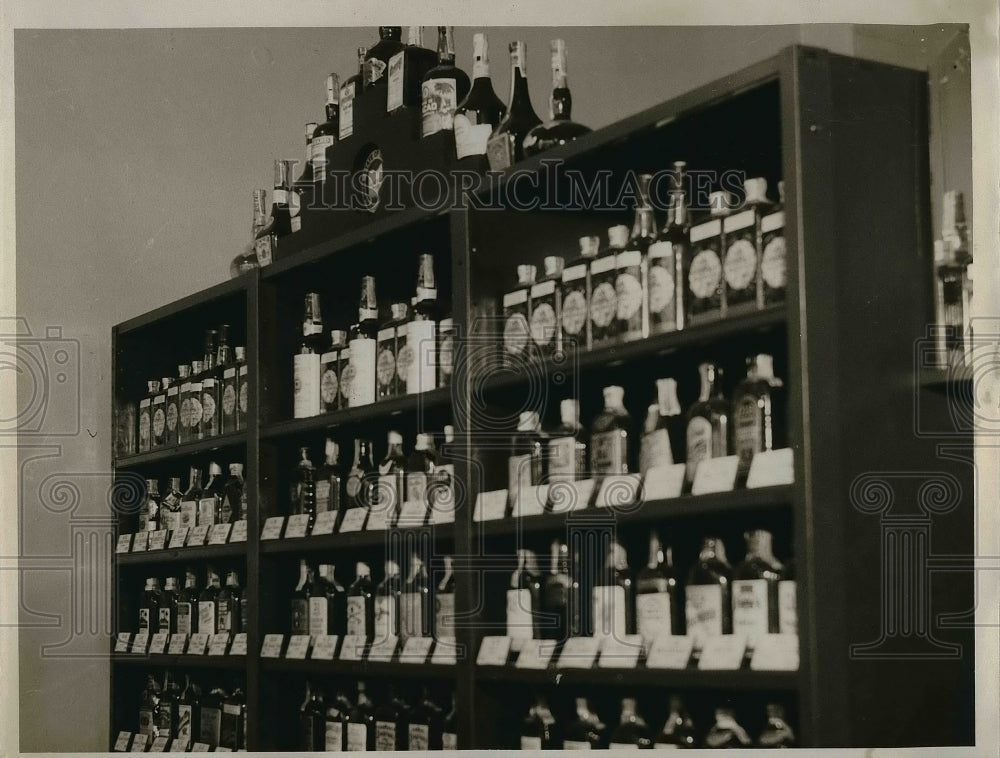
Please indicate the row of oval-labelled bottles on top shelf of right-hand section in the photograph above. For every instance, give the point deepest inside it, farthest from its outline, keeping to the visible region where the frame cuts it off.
(649, 282)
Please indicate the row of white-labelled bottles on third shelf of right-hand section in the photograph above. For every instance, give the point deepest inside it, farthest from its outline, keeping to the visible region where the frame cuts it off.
(584, 595)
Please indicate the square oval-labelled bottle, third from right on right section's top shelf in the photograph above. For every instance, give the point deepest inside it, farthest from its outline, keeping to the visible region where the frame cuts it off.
(704, 275)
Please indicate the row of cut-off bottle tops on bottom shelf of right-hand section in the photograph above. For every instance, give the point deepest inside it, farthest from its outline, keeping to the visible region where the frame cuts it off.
(586, 731)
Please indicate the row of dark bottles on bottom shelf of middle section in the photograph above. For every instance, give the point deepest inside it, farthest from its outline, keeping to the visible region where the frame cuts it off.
(335, 723)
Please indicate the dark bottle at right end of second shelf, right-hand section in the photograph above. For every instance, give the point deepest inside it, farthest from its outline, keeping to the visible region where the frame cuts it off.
(757, 422)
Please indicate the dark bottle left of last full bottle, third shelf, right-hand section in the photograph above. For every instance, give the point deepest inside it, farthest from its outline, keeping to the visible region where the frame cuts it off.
(707, 596)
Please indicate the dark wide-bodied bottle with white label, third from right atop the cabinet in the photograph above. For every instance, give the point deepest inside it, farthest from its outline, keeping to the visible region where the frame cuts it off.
(479, 113)
